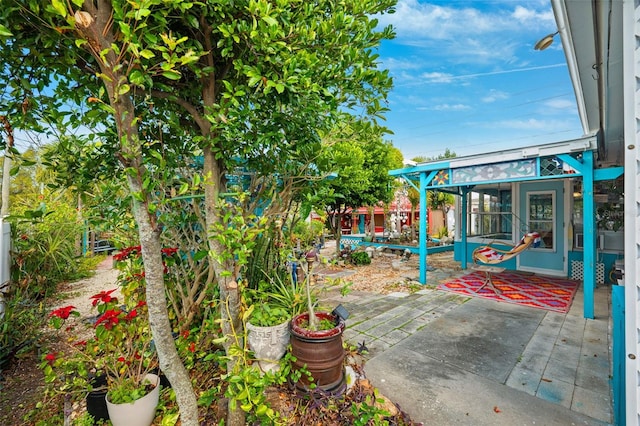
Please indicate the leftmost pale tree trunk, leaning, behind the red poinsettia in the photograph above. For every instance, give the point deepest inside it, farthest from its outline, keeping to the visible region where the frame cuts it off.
(94, 25)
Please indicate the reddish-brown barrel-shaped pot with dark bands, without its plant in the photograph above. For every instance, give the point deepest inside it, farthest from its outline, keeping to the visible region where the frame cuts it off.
(320, 351)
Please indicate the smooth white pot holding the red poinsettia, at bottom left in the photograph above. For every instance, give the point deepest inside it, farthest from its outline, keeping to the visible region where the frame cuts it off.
(140, 412)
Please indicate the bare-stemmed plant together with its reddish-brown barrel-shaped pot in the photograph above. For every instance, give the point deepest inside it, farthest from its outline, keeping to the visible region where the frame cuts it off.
(316, 342)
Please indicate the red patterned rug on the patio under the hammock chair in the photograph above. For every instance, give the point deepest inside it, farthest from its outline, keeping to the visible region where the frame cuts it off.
(550, 293)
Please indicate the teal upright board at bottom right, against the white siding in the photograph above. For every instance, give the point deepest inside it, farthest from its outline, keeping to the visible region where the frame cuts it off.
(618, 381)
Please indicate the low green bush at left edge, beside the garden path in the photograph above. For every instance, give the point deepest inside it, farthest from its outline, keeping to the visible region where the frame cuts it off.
(20, 326)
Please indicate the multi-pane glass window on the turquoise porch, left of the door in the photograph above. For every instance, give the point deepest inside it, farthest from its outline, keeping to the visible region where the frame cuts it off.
(490, 213)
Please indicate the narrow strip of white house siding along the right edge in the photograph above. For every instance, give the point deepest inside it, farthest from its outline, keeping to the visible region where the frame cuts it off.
(631, 75)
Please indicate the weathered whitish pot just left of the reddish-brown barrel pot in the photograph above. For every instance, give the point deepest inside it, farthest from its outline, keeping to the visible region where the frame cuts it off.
(268, 344)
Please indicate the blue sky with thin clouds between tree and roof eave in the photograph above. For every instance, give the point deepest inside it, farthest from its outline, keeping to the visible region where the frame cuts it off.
(467, 78)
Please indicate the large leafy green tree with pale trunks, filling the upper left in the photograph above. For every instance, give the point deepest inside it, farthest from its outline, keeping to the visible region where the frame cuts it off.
(254, 81)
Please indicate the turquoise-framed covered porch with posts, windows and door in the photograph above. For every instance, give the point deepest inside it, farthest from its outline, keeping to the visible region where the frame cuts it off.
(560, 191)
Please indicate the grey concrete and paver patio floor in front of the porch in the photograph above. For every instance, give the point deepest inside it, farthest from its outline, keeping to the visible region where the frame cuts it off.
(449, 359)
